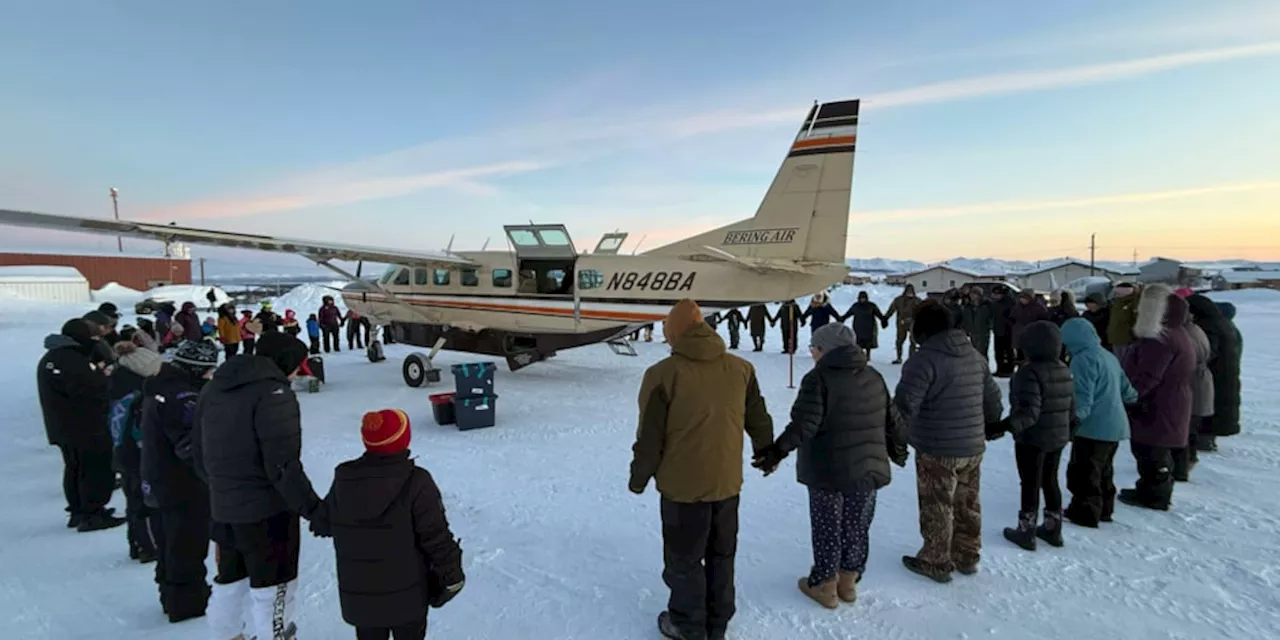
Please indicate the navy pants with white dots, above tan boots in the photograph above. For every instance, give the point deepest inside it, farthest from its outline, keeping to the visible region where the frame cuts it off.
(842, 528)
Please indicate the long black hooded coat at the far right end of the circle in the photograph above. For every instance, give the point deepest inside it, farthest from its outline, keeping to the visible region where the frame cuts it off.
(1224, 363)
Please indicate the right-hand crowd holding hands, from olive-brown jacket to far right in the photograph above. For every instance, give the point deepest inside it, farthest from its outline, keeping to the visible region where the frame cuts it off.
(1155, 367)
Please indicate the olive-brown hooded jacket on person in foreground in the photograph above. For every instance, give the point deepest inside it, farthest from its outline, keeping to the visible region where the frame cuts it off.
(694, 408)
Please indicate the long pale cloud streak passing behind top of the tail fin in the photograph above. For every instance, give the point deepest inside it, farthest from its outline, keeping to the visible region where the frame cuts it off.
(555, 144)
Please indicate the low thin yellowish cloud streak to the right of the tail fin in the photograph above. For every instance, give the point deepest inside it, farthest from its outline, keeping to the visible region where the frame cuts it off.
(894, 216)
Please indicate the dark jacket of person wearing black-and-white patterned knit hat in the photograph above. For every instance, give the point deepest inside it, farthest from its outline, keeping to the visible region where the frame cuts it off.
(168, 454)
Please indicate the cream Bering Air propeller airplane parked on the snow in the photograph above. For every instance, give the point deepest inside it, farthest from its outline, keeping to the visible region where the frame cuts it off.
(542, 296)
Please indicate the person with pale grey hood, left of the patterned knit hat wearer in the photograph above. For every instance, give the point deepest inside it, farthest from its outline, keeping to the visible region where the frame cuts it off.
(136, 367)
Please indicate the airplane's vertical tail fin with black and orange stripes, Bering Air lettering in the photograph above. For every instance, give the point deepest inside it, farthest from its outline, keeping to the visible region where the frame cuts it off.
(804, 217)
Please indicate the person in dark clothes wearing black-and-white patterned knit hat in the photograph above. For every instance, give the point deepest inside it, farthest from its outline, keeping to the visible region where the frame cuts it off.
(180, 523)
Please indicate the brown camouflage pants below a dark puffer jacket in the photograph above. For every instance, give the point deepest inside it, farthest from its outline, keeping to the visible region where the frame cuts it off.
(950, 511)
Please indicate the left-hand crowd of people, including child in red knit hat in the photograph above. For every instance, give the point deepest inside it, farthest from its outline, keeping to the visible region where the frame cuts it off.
(211, 454)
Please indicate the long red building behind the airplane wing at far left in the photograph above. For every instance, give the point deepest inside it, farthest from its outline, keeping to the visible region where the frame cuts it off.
(139, 273)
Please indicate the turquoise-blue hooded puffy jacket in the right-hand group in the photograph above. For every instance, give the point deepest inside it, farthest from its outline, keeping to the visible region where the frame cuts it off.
(1101, 387)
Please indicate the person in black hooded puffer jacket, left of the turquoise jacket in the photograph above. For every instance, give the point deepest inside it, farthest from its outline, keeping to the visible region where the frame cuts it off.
(1043, 419)
